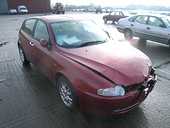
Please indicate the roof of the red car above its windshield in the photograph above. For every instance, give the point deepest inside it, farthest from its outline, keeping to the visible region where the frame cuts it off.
(56, 18)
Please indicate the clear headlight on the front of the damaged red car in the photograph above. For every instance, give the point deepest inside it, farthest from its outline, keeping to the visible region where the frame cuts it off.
(113, 91)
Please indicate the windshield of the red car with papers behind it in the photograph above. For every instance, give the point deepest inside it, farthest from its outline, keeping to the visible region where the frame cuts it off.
(72, 34)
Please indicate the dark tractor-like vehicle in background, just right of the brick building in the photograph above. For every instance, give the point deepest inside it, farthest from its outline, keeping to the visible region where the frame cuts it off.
(58, 8)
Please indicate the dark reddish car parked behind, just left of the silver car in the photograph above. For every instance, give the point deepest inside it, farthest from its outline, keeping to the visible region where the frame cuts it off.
(114, 16)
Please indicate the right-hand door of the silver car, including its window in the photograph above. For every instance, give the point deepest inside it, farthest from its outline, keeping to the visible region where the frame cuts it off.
(157, 30)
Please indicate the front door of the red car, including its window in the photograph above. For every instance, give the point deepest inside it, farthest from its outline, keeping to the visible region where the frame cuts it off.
(42, 55)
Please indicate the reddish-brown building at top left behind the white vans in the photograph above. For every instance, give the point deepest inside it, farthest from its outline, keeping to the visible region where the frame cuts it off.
(34, 6)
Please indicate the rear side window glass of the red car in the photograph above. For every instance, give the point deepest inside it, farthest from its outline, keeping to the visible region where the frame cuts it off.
(28, 26)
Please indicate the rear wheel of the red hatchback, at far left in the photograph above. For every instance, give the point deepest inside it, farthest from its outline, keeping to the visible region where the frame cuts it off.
(23, 58)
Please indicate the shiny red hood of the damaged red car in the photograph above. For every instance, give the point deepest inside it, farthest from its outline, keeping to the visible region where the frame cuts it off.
(119, 62)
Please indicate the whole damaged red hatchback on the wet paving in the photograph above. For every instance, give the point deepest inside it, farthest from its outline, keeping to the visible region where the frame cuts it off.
(90, 70)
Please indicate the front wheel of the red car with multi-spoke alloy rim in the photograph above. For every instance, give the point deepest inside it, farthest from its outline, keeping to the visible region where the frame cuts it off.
(66, 93)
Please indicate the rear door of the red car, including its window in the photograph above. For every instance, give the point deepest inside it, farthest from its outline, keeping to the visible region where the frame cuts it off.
(26, 37)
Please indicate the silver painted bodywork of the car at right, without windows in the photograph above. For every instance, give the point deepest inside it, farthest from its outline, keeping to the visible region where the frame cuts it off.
(146, 31)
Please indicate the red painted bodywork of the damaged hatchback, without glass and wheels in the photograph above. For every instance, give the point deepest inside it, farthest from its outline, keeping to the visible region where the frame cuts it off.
(91, 68)
